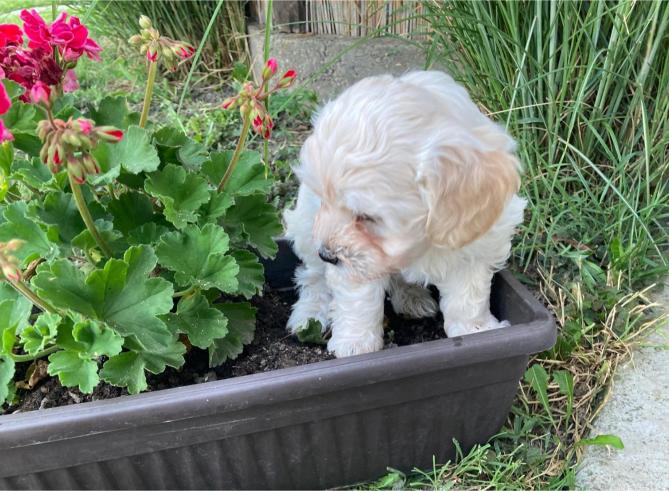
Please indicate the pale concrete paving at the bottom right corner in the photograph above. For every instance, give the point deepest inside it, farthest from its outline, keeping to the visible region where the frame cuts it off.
(638, 412)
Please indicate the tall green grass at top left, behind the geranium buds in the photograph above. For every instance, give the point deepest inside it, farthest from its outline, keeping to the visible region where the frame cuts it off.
(189, 21)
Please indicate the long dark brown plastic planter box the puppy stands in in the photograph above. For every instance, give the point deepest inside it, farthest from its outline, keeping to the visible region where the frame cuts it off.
(326, 424)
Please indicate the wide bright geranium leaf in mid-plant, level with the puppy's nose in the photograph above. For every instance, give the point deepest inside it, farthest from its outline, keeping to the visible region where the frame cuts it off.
(204, 265)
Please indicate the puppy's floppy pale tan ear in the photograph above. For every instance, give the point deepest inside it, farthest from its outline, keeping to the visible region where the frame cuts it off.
(466, 188)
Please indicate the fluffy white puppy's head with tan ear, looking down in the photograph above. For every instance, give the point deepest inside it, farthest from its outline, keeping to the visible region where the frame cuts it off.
(402, 165)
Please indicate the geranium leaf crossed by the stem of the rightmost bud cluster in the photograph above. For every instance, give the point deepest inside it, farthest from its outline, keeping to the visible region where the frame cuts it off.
(247, 178)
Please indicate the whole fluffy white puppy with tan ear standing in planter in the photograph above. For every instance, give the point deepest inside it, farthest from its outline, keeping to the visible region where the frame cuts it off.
(403, 183)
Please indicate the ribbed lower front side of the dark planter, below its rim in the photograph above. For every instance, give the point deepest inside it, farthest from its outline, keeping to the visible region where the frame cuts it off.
(316, 454)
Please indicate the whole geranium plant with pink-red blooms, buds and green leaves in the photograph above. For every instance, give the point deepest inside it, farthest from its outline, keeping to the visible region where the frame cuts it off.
(122, 244)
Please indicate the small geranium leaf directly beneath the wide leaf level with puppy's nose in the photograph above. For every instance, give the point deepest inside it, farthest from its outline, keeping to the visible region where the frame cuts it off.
(201, 323)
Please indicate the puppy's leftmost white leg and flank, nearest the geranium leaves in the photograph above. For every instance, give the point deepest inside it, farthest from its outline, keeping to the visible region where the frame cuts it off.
(314, 293)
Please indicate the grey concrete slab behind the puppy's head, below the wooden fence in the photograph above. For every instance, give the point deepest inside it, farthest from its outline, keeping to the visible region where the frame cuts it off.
(352, 58)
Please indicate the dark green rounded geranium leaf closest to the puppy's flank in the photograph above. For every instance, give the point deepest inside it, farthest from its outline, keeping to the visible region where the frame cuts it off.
(253, 220)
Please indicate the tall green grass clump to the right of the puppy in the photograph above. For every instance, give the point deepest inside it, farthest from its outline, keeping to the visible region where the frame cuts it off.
(584, 87)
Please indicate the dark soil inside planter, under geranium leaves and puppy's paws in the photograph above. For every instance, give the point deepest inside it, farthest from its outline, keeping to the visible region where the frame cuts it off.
(271, 349)
